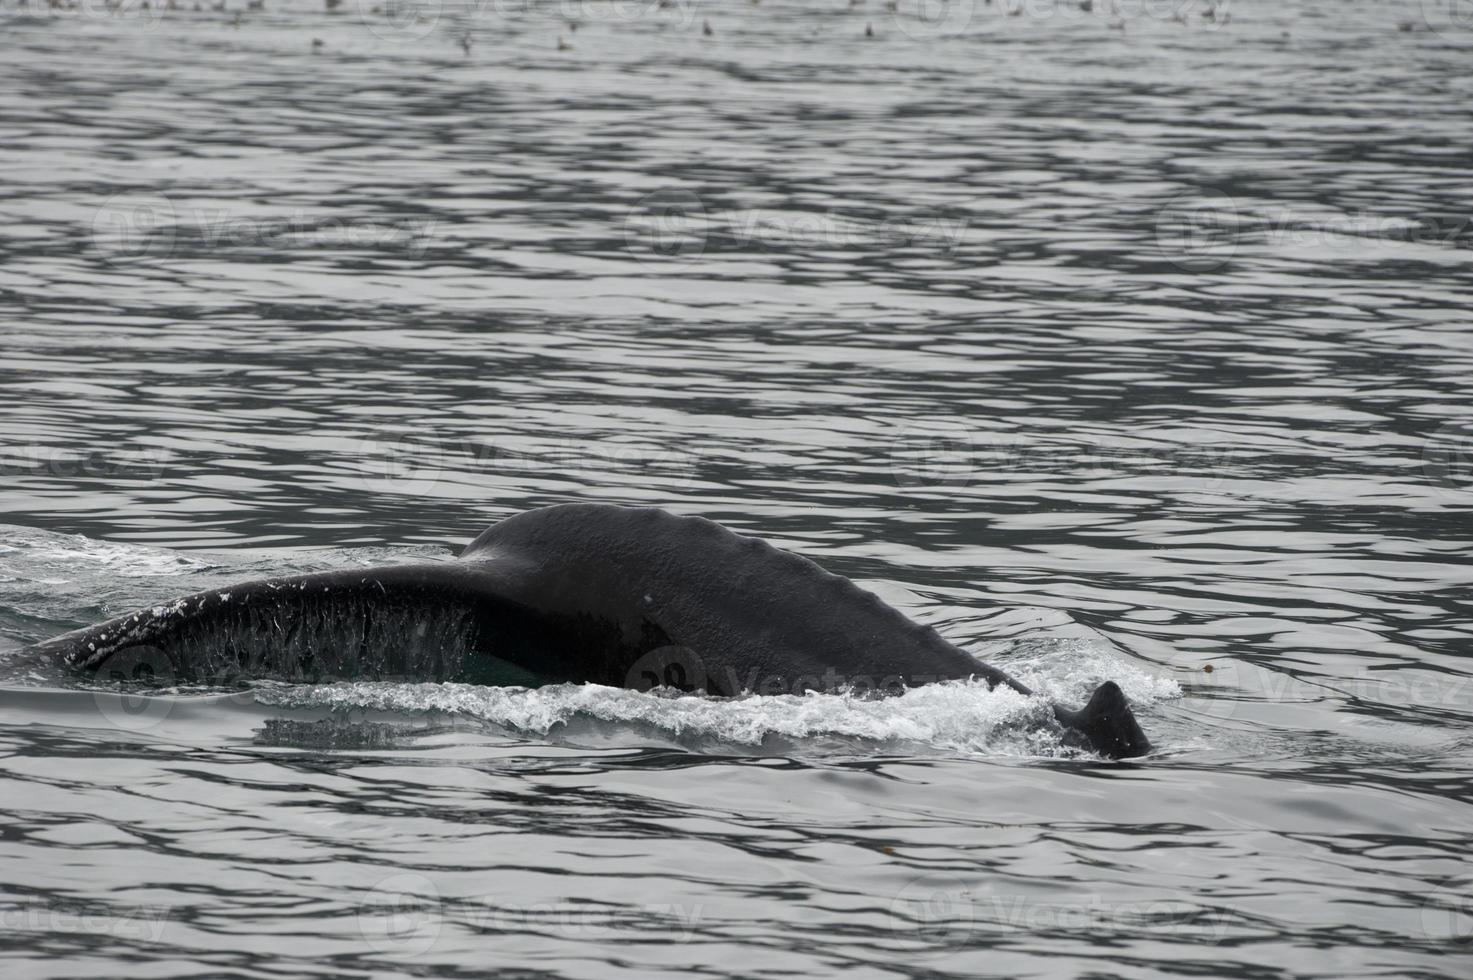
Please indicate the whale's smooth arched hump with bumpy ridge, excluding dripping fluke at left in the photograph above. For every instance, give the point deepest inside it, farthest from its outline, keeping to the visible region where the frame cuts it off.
(733, 611)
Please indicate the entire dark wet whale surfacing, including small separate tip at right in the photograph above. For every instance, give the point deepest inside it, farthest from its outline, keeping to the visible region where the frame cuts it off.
(578, 593)
